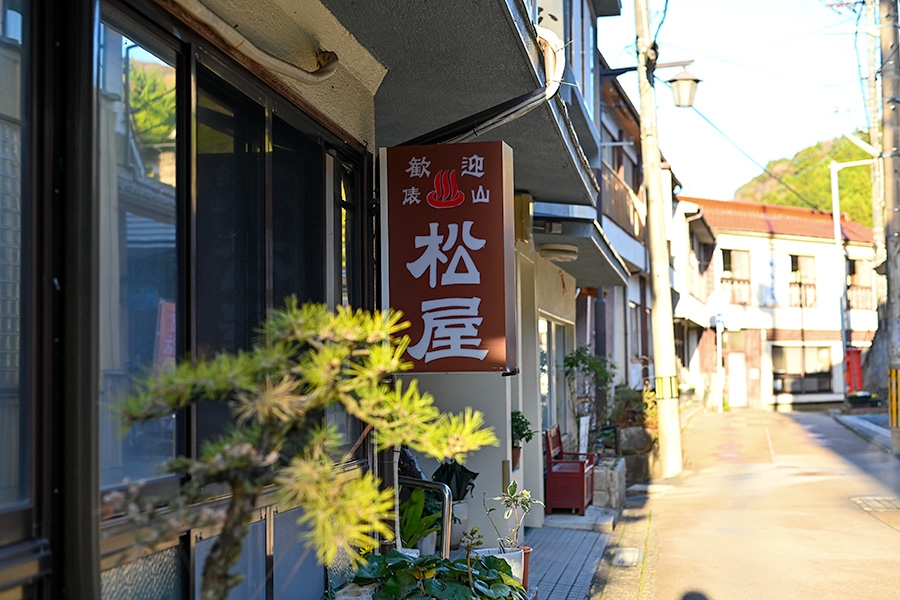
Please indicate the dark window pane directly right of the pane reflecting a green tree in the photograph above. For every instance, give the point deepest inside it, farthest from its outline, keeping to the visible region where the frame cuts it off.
(229, 272)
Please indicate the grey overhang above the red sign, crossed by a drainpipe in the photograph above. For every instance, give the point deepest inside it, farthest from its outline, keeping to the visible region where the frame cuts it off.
(448, 60)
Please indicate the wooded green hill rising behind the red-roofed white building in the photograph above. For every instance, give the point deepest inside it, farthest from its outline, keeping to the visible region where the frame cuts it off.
(809, 178)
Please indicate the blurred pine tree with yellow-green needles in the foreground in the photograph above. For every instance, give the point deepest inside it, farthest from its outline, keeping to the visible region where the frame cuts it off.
(306, 360)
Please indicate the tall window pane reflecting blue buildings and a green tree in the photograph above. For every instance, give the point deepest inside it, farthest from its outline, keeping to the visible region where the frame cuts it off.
(138, 263)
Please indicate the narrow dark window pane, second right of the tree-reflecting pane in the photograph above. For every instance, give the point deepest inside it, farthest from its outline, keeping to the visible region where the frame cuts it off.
(298, 209)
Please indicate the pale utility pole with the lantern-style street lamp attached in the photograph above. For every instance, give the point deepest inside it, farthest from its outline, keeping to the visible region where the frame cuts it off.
(664, 365)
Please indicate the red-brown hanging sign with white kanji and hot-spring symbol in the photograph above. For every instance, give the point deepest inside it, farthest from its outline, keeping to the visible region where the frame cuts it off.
(448, 245)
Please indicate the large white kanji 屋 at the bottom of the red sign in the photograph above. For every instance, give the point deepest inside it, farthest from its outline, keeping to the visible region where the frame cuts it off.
(451, 330)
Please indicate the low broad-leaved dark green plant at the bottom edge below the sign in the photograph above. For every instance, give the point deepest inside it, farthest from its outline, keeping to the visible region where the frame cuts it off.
(398, 576)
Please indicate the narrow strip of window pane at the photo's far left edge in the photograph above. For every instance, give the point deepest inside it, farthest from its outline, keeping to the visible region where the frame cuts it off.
(14, 442)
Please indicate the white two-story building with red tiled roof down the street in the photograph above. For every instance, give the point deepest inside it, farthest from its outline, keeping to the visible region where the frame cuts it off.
(792, 300)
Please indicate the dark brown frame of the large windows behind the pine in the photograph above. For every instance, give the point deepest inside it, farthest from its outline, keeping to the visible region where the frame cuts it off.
(192, 51)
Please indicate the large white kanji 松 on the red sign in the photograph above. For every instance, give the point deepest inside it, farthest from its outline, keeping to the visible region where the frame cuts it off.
(435, 246)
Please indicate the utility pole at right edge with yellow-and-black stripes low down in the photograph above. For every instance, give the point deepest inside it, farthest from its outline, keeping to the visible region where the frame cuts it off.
(890, 94)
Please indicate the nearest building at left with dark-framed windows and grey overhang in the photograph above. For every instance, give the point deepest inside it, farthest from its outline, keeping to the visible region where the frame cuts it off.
(171, 169)
